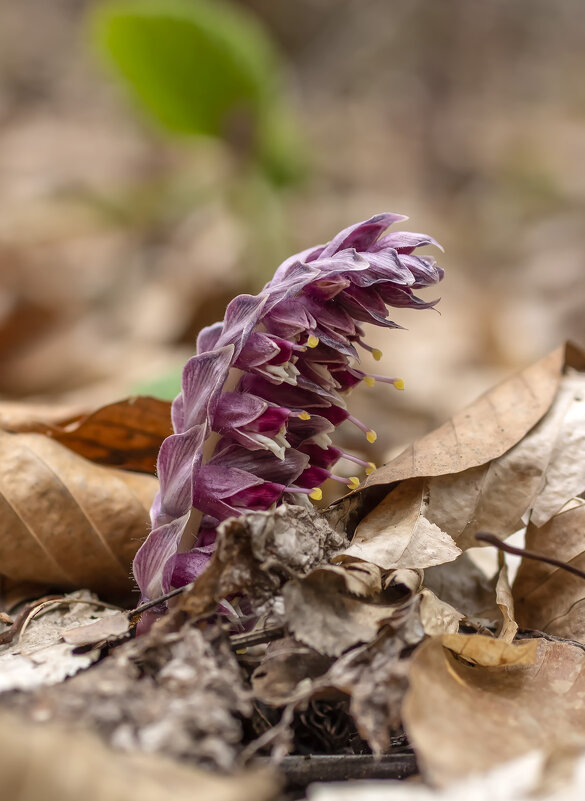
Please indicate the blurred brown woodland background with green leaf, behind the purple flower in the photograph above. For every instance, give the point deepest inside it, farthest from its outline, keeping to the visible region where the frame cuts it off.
(127, 222)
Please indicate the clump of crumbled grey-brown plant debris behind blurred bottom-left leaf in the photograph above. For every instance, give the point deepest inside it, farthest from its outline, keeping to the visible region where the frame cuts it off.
(180, 694)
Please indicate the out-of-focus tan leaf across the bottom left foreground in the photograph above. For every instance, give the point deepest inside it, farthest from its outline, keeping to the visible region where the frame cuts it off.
(56, 764)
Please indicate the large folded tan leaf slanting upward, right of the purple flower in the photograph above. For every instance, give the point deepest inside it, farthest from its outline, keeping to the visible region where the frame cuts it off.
(501, 488)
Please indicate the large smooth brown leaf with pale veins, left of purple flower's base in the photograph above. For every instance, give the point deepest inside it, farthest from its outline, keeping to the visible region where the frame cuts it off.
(67, 522)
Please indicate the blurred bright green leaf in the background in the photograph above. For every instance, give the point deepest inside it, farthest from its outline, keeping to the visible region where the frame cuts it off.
(202, 67)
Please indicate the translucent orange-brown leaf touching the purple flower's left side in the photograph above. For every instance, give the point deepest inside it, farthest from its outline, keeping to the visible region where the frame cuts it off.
(125, 434)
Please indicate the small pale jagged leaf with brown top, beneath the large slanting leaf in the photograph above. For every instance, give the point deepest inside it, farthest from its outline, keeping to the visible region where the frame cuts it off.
(397, 533)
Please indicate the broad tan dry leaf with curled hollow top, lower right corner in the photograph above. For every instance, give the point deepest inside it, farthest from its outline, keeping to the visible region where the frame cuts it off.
(463, 718)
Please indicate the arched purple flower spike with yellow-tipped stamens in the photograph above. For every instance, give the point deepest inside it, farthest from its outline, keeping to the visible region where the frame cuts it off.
(267, 388)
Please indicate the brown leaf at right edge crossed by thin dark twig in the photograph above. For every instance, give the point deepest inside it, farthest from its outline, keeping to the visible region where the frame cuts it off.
(547, 598)
